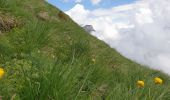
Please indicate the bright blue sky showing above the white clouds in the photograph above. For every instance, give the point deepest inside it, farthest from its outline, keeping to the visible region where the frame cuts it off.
(88, 4)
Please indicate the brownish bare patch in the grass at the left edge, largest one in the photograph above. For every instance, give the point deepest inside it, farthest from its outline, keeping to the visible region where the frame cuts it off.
(7, 23)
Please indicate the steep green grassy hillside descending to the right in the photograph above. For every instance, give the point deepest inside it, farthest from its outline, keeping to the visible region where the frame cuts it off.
(52, 59)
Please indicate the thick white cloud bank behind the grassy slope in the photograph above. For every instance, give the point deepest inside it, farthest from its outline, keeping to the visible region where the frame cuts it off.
(139, 31)
